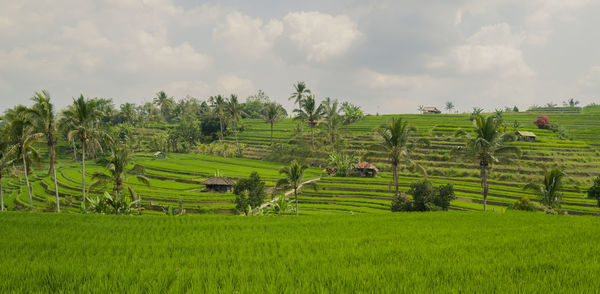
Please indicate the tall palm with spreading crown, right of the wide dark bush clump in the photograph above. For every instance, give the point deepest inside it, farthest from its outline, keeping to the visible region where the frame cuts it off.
(485, 146)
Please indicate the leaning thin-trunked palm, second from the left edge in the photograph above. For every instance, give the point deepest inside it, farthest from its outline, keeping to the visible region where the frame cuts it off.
(21, 136)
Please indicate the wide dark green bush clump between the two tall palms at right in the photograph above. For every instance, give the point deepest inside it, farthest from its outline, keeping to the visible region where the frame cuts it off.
(426, 197)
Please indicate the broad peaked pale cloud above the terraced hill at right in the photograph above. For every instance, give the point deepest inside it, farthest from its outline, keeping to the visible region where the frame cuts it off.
(493, 50)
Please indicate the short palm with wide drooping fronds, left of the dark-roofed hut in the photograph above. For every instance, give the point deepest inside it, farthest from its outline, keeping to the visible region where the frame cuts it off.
(116, 166)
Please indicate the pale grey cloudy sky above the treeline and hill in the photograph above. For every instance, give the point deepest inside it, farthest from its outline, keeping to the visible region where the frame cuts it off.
(385, 56)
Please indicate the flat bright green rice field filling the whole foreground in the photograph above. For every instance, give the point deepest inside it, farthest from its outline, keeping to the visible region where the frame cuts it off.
(411, 252)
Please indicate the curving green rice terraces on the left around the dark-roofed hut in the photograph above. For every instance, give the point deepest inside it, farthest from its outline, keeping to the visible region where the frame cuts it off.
(175, 179)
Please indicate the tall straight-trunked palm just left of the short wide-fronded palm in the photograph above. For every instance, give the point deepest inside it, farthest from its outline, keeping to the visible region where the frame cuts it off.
(81, 119)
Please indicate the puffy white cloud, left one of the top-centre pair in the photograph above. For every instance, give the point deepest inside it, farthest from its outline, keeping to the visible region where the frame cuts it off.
(242, 35)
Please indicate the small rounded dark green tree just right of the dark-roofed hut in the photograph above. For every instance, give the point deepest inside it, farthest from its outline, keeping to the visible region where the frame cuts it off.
(249, 192)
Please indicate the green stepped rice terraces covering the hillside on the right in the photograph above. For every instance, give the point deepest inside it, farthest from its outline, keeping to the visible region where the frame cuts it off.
(580, 157)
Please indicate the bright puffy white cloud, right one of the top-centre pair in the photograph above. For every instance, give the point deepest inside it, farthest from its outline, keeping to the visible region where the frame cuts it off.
(321, 36)
